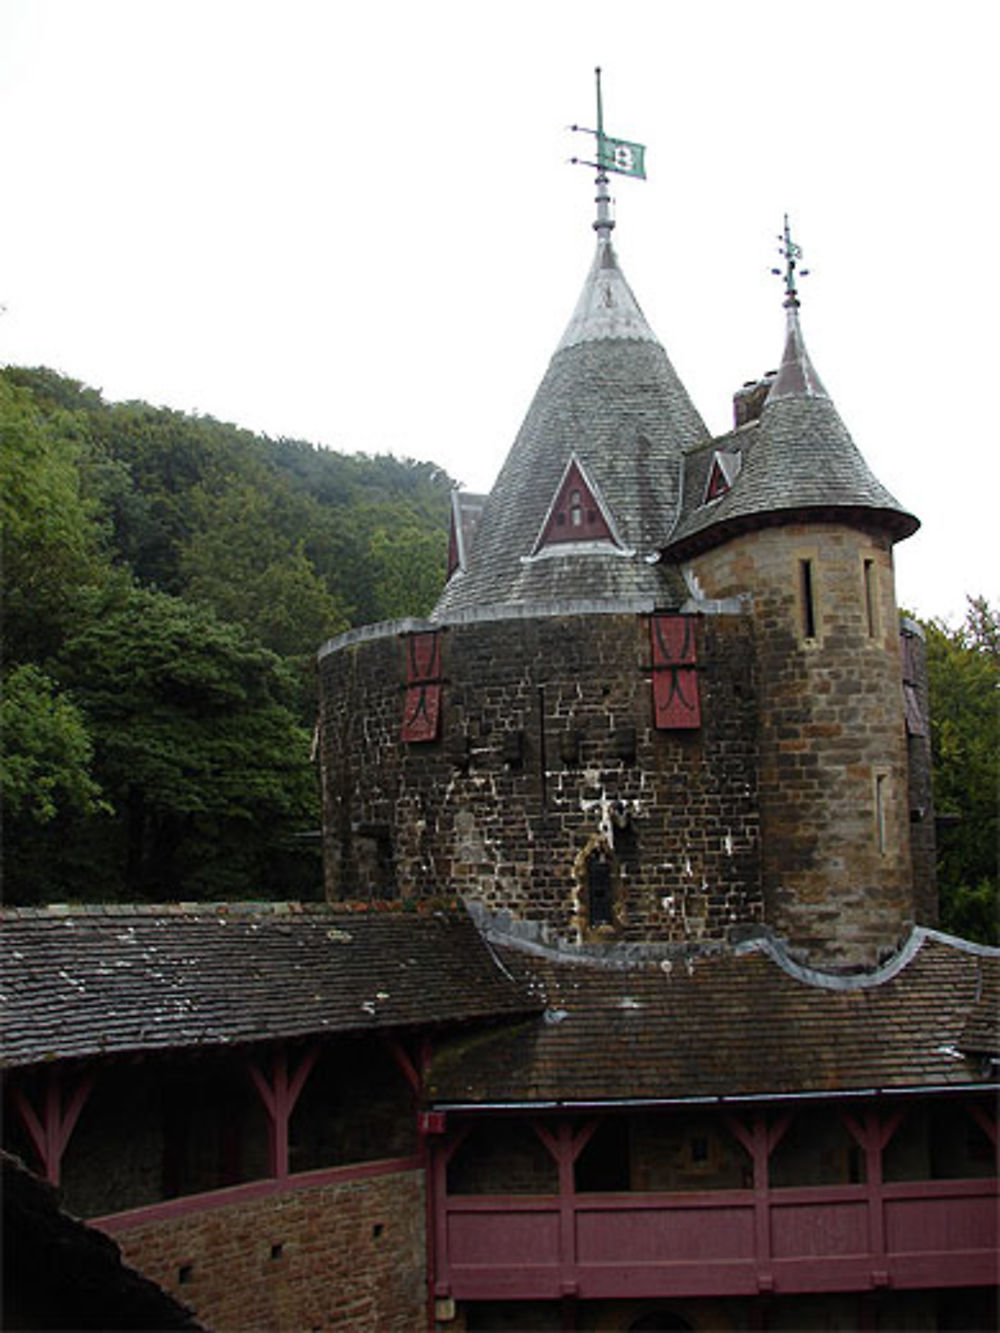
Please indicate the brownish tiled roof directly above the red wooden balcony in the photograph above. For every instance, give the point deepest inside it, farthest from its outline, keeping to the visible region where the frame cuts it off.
(726, 1026)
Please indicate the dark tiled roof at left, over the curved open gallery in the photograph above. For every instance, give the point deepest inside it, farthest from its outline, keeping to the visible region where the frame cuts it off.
(102, 980)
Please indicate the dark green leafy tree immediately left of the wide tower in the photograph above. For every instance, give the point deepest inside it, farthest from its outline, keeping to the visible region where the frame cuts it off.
(199, 750)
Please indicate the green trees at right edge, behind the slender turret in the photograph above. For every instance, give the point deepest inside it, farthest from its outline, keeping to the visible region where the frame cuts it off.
(965, 679)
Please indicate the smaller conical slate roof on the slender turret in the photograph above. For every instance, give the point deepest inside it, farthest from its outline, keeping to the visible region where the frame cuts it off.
(798, 461)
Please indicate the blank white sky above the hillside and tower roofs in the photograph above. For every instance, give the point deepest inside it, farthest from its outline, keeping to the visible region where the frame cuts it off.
(355, 223)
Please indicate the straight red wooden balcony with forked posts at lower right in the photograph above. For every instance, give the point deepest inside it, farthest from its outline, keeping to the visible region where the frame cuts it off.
(721, 1243)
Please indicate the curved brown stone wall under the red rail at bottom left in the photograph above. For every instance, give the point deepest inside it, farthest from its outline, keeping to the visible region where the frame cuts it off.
(335, 1258)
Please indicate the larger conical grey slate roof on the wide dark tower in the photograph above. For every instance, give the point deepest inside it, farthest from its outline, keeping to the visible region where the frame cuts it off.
(613, 406)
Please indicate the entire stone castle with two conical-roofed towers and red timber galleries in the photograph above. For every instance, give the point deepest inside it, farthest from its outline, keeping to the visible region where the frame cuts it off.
(626, 1010)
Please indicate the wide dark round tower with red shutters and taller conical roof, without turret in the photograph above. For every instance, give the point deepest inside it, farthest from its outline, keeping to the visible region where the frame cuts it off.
(562, 742)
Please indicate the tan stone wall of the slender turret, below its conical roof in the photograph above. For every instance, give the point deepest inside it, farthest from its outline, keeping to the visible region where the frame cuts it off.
(834, 770)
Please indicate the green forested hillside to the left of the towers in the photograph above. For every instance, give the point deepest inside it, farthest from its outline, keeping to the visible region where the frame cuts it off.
(167, 581)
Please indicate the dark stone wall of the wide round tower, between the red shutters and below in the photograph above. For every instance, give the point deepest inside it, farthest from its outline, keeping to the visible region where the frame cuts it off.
(547, 754)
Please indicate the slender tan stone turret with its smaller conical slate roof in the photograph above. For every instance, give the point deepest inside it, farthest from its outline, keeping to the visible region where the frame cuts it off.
(786, 514)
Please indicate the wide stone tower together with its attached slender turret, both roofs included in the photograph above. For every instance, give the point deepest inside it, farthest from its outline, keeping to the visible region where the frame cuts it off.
(659, 702)
